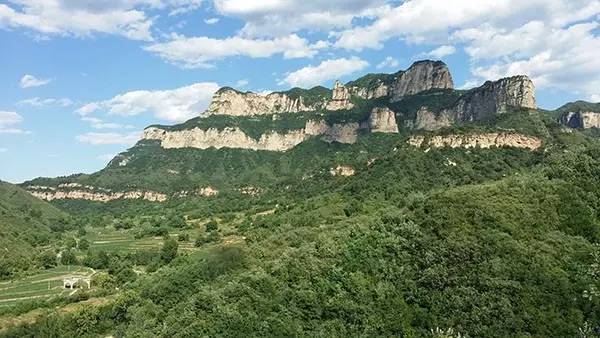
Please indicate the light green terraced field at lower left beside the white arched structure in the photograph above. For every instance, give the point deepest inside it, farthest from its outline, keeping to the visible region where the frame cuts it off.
(43, 285)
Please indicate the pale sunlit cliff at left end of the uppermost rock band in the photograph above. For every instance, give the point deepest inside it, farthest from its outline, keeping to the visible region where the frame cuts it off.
(227, 101)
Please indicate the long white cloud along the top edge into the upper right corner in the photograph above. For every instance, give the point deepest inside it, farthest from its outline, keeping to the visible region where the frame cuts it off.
(407, 19)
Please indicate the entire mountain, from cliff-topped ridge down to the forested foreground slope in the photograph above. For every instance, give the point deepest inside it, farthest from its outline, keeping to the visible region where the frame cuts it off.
(394, 206)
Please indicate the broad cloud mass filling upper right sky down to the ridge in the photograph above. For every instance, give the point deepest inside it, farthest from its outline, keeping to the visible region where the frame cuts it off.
(553, 41)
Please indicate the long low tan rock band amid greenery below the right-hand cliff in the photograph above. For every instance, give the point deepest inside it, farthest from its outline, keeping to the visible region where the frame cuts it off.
(484, 140)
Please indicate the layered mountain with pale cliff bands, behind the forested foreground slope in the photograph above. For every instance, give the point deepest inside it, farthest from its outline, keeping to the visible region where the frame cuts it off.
(250, 140)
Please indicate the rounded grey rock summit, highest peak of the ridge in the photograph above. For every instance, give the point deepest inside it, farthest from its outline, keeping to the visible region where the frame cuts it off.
(421, 76)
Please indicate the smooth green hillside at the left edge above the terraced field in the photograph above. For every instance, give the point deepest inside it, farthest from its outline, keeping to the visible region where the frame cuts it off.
(27, 224)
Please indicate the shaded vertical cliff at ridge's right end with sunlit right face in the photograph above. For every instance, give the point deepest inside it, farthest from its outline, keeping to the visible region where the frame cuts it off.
(494, 97)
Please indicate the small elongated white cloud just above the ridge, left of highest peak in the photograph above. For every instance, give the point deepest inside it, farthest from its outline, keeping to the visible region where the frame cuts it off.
(327, 70)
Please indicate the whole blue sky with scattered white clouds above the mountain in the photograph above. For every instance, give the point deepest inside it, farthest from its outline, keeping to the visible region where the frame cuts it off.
(80, 79)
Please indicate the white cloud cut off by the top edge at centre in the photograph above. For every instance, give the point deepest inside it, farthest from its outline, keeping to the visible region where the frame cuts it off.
(282, 17)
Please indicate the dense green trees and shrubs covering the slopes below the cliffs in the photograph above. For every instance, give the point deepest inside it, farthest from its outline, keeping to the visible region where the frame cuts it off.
(497, 242)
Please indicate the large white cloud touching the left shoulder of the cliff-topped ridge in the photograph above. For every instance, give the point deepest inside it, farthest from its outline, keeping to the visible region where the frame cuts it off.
(174, 105)
